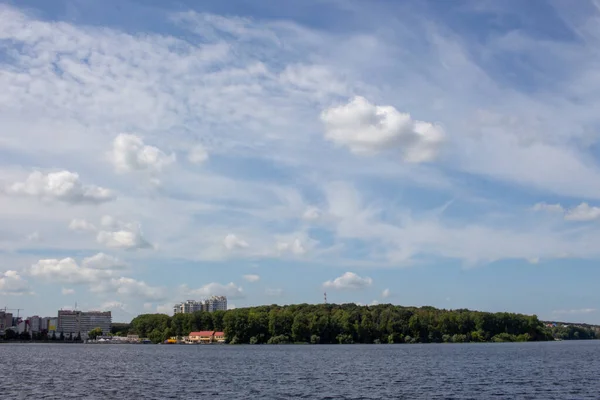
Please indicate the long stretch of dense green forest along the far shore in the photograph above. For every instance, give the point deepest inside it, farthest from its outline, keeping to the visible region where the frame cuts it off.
(349, 323)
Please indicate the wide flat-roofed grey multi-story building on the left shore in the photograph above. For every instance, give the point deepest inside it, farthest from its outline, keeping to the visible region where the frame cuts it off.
(81, 322)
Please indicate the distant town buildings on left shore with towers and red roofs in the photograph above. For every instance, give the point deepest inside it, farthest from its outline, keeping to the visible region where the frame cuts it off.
(96, 326)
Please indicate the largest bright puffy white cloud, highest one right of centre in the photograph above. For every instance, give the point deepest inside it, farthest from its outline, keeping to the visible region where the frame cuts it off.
(367, 128)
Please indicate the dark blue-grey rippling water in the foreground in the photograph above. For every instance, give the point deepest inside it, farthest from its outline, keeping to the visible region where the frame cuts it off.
(556, 370)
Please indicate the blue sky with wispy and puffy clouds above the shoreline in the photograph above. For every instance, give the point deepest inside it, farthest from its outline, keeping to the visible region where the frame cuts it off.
(415, 153)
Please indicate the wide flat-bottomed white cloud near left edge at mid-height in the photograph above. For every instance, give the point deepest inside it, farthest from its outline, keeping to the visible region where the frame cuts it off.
(62, 186)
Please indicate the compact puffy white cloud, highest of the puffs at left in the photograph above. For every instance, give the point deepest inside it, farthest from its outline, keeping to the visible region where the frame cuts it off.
(129, 153)
